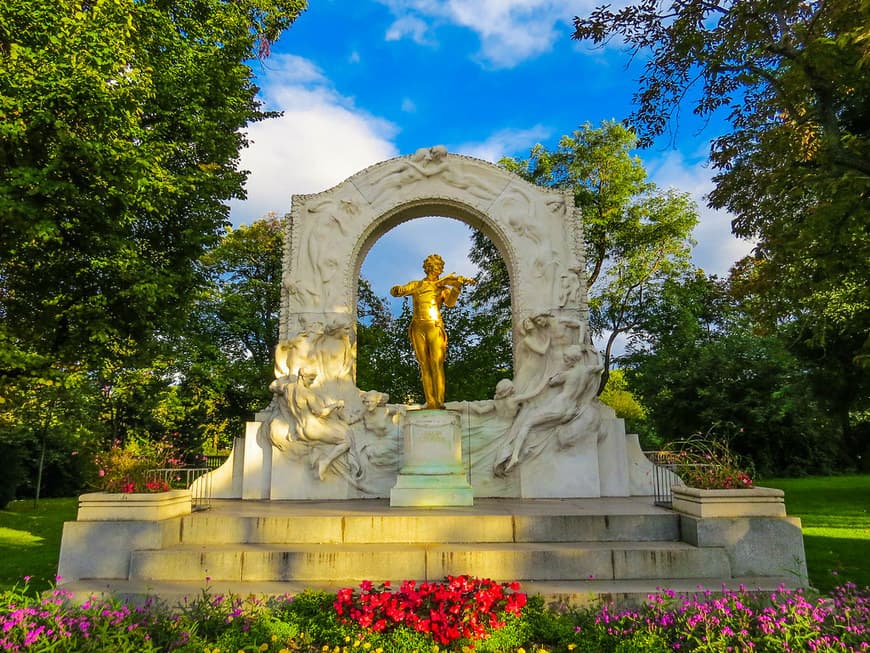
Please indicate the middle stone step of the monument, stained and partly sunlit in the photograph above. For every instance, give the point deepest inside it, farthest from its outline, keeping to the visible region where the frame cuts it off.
(497, 560)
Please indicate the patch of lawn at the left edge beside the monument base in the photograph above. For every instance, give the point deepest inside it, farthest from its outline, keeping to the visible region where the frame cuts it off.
(30, 540)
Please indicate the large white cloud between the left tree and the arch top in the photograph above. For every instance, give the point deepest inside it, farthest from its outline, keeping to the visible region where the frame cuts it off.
(321, 139)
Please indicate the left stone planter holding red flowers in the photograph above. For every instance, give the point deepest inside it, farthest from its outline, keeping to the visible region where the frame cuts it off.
(105, 506)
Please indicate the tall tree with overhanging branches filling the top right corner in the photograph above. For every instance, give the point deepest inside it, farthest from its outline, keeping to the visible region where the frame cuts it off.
(794, 166)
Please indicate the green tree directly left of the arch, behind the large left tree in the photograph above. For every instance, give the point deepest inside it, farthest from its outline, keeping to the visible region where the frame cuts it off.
(225, 359)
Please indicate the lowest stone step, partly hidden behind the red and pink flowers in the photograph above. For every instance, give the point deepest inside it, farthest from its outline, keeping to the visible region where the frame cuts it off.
(577, 593)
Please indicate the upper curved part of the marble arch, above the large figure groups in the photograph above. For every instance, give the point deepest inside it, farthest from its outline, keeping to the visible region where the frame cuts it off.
(328, 234)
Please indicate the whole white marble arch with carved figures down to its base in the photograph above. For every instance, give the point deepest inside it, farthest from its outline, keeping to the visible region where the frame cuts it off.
(544, 433)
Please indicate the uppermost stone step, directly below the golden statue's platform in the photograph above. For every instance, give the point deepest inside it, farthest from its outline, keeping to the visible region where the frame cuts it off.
(215, 528)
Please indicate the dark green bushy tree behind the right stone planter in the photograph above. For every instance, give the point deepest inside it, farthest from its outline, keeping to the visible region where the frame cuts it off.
(701, 368)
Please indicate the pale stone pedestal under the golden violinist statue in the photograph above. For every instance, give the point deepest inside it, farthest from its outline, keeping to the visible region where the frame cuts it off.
(432, 473)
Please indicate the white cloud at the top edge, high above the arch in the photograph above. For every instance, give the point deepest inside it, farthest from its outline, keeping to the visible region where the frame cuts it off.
(510, 31)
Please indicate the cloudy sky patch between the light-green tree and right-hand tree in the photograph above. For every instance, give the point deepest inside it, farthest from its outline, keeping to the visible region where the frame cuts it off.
(717, 249)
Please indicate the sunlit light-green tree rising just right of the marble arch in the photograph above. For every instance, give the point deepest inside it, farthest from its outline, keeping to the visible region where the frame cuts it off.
(636, 235)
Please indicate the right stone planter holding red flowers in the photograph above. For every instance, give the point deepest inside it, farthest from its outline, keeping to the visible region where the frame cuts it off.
(749, 502)
